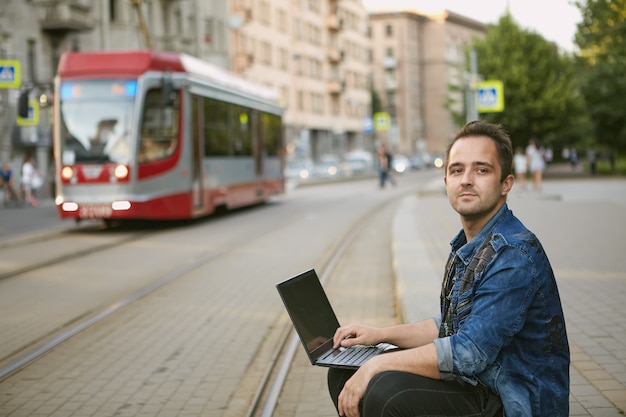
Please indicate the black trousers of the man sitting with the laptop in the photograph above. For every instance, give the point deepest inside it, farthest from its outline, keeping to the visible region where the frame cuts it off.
(402, 394)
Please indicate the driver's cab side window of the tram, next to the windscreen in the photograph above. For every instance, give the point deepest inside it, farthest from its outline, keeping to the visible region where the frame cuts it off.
(159, 127)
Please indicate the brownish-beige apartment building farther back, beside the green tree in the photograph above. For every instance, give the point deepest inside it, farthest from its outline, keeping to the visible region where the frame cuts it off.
(417, 57)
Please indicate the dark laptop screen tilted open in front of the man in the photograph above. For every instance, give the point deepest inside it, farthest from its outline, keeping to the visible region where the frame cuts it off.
(310, 310)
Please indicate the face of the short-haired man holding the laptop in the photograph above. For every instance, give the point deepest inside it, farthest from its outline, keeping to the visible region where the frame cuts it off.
(473, 179)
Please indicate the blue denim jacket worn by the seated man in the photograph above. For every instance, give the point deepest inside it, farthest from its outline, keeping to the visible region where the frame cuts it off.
(508, 325)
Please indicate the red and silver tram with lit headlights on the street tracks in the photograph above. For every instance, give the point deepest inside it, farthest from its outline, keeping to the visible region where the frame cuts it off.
(159, 135)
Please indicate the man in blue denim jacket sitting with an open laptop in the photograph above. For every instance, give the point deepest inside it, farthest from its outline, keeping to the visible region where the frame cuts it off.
(499, 345)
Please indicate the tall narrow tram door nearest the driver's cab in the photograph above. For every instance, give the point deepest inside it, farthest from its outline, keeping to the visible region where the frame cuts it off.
(197, 146)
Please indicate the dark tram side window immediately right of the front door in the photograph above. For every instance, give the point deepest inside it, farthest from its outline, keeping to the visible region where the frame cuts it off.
(215, 128)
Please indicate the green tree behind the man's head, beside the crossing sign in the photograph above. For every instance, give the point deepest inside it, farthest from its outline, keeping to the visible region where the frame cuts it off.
(540, 88)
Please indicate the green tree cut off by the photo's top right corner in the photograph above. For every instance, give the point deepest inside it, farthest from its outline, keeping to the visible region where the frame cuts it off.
(601, 37)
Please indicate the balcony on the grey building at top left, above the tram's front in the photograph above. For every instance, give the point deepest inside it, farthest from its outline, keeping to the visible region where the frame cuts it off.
(64, 16)
